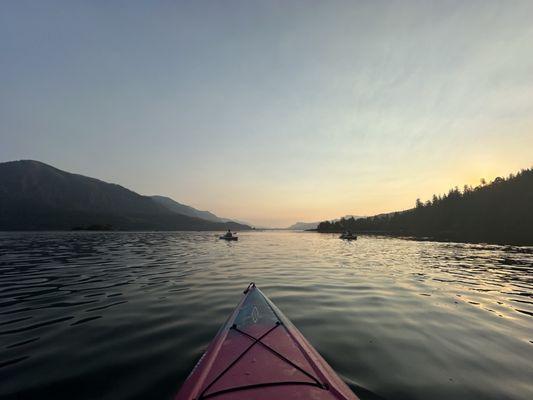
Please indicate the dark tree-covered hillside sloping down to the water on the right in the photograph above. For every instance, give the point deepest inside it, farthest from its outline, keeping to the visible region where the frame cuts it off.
(498, 212)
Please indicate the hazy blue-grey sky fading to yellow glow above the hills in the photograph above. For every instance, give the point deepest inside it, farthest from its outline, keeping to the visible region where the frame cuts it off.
(271, 112)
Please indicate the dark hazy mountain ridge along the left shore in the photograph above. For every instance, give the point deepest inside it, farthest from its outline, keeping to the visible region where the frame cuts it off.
(37, 196)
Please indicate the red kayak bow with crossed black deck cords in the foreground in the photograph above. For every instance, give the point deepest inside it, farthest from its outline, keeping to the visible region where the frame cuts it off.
(259, 354)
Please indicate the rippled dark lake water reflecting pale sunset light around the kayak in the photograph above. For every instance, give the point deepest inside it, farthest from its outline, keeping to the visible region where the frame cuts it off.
(127, 315)
